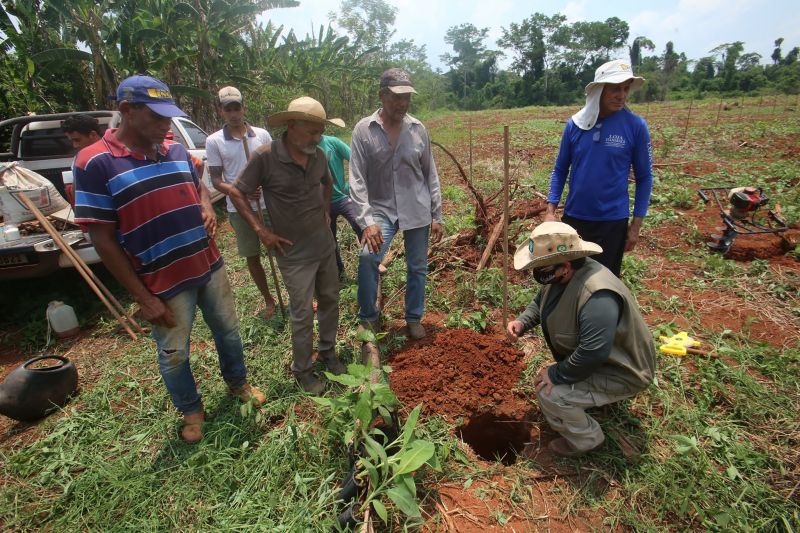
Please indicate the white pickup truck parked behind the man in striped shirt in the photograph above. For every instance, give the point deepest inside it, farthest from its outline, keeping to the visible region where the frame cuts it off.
(37, 142)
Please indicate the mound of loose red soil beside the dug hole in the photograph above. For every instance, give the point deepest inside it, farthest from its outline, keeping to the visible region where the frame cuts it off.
(460, 373)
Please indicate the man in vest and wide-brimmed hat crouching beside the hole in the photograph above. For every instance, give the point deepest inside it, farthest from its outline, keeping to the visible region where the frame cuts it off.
(603, 349)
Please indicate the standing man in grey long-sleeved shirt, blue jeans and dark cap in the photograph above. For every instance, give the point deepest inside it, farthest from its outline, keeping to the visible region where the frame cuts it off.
(394, 184)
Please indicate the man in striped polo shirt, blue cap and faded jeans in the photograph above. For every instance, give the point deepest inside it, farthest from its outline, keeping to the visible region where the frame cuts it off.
(152, 223)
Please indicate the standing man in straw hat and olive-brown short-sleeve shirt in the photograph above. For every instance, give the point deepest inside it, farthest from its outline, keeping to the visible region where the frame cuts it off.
(290, 171)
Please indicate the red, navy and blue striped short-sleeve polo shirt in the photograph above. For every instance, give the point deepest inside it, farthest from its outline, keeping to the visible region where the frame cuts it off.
(155, 206)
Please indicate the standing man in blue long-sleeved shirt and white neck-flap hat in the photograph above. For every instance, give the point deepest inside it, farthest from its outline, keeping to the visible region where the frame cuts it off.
(600, 144)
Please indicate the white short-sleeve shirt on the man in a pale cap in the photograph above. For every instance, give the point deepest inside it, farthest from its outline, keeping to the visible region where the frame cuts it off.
(224, 150)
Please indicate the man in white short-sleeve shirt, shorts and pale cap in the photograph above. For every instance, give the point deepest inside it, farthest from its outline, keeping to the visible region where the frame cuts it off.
(227, 152)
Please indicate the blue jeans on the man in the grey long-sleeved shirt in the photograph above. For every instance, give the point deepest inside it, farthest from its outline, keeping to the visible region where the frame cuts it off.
(416, 245)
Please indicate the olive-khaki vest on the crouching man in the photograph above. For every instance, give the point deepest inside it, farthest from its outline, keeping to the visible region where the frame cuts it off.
(633, 355)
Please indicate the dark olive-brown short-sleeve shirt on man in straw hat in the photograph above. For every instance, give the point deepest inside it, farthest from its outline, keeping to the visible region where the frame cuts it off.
(294, 199)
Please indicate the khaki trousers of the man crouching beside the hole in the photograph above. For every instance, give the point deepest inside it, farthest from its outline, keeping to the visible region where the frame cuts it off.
(565, 407)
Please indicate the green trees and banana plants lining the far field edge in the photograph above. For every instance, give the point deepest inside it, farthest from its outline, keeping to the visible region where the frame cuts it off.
(60, 55)
